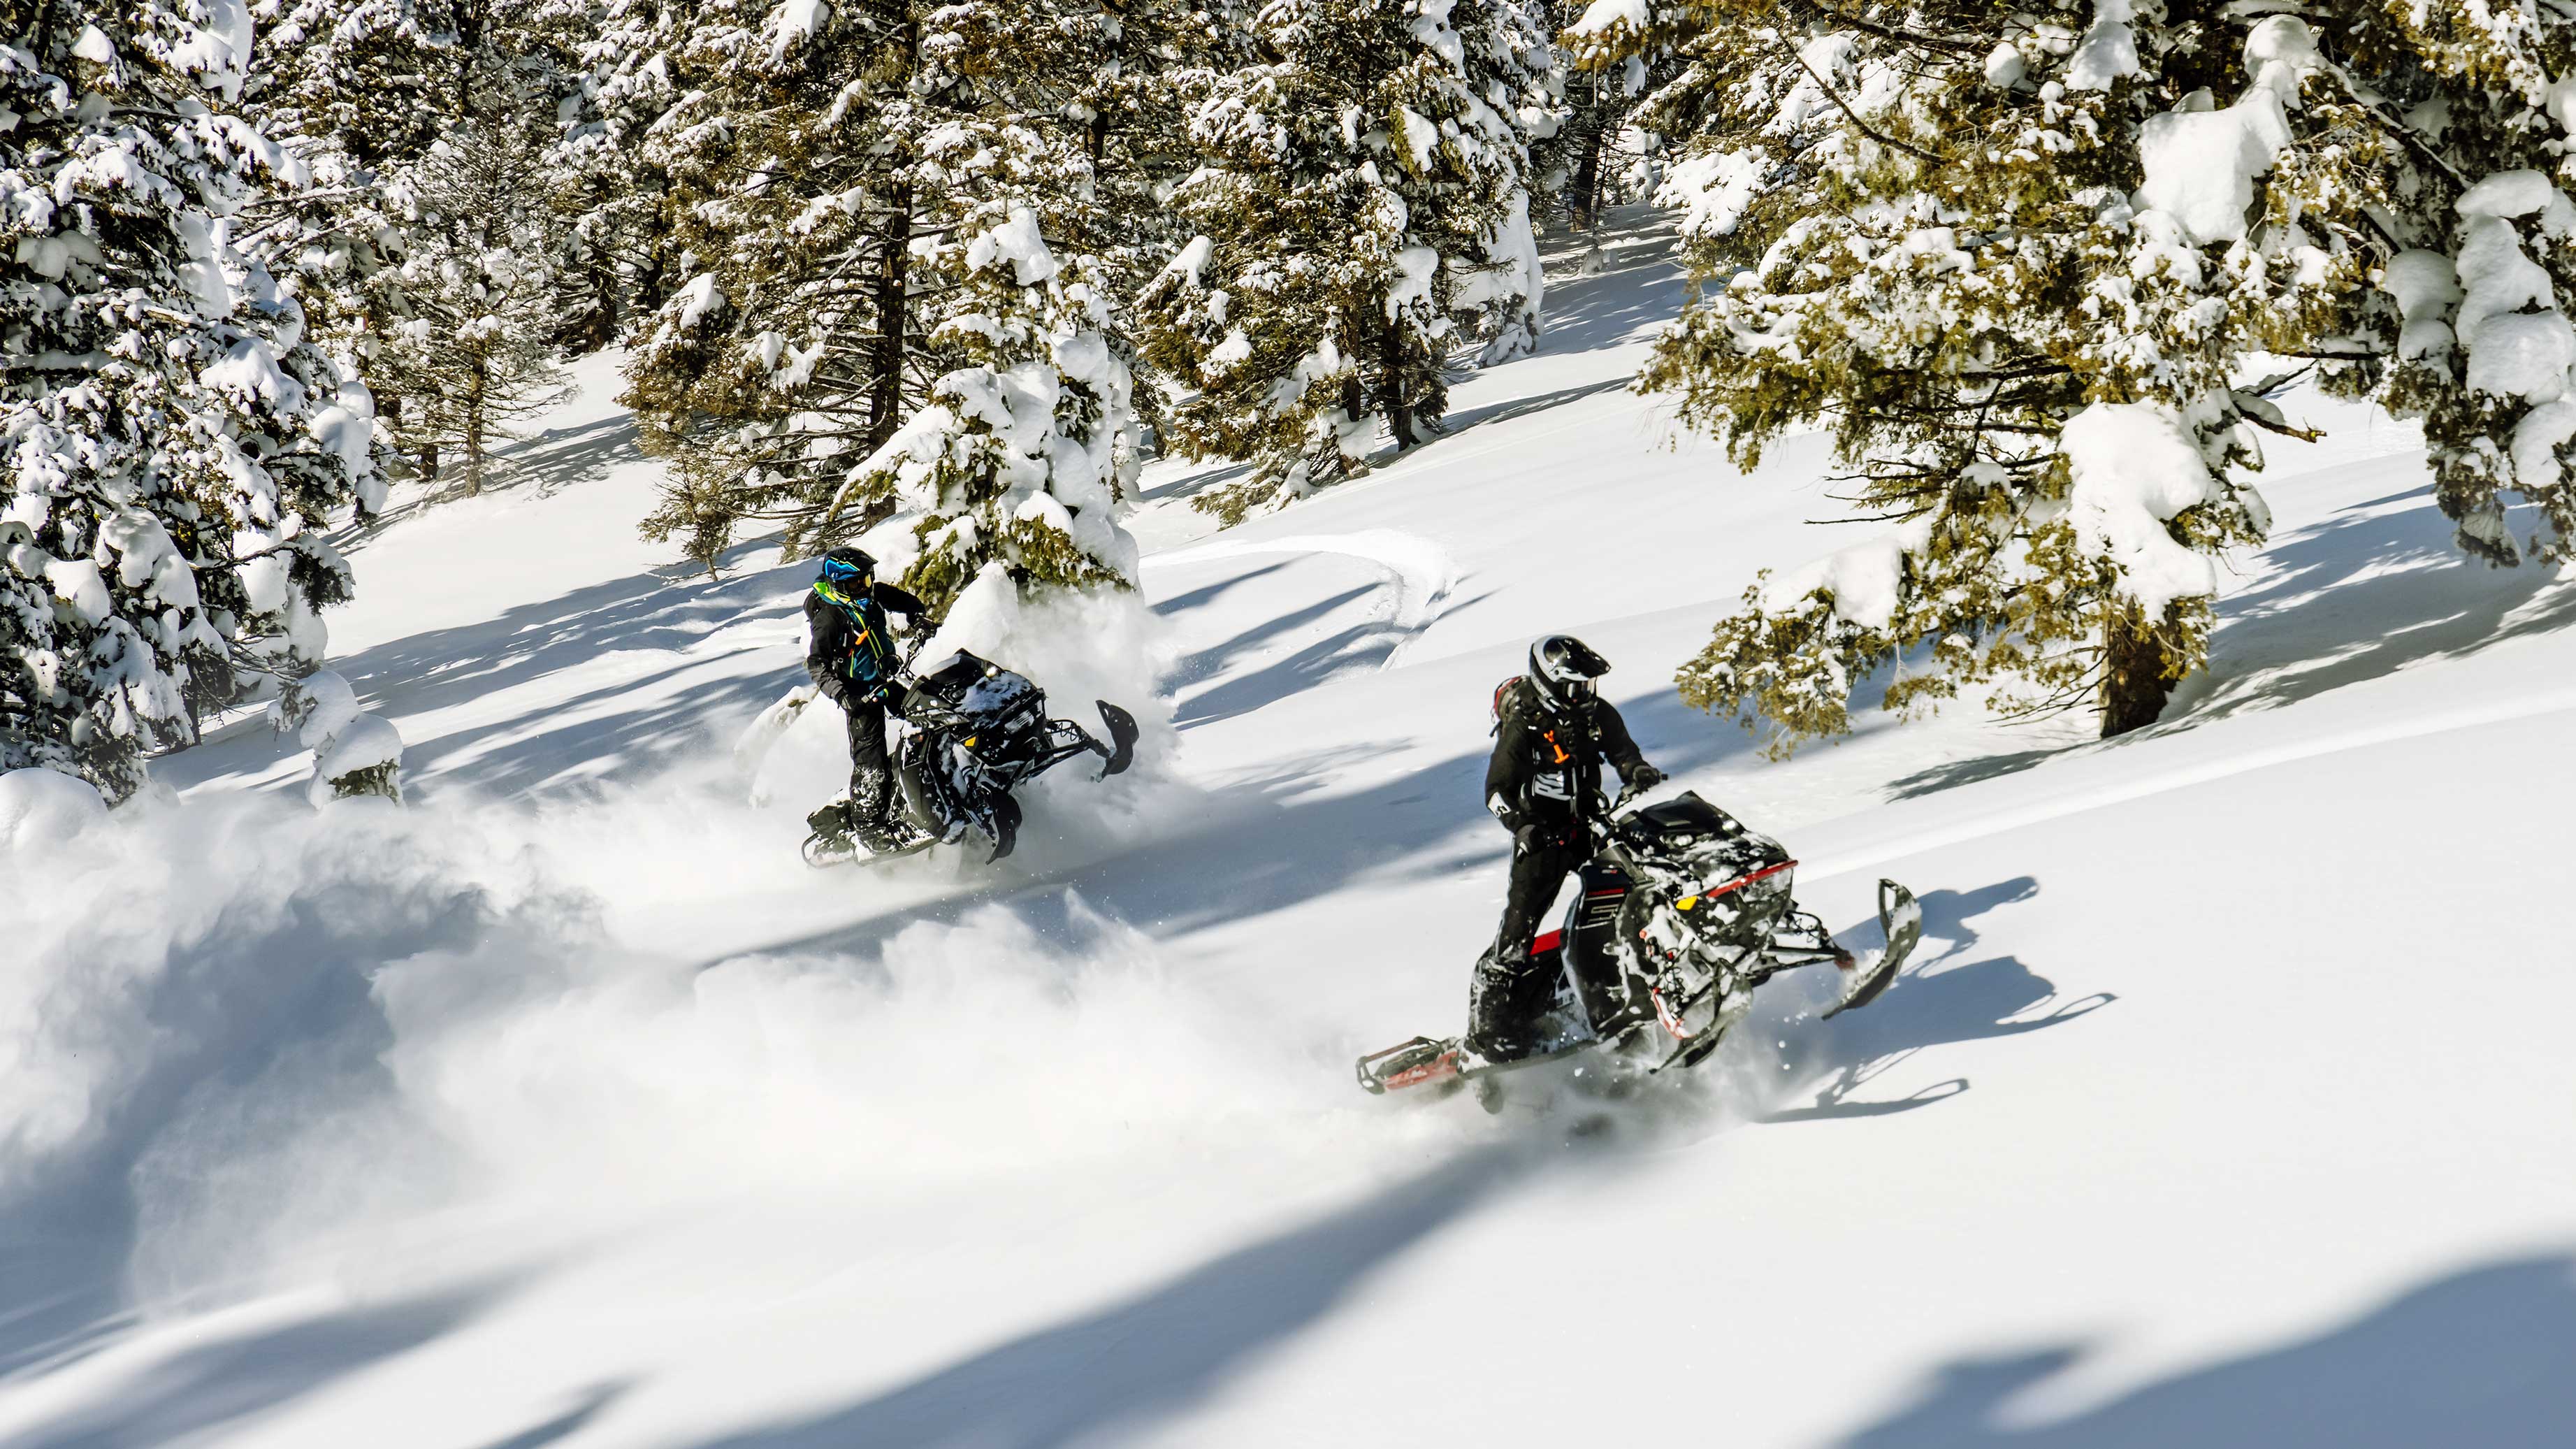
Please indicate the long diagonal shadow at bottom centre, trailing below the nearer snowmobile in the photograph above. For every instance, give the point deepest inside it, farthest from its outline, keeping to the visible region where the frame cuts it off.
(1158, 1352)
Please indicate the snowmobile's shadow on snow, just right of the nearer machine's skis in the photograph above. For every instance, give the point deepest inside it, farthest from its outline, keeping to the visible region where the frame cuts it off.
(1941, 1002)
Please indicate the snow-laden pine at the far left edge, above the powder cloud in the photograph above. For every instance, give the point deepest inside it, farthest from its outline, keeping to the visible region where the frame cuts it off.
(169, 434)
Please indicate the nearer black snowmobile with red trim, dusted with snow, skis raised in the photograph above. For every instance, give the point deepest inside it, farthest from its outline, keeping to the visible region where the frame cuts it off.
(1683, 914)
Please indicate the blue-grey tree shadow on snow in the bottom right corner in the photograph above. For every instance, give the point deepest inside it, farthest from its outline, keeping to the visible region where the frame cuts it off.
(2474, 1357)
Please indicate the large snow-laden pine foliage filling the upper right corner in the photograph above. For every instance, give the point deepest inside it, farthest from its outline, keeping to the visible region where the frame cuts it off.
(2031, 264)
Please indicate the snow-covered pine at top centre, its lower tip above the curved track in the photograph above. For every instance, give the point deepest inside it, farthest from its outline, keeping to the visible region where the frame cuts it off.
(1356, 187)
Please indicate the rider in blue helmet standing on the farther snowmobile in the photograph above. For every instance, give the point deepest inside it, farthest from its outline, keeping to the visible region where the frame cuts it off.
(854, 664)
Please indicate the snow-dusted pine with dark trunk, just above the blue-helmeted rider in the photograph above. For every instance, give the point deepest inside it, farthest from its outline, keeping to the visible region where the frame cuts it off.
(784, 349)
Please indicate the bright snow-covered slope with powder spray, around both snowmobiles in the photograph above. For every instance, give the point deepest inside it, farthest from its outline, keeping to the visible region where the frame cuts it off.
(2227, 1105)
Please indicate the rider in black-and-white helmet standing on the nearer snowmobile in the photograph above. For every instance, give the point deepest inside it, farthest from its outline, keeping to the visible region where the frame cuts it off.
(1544, 785)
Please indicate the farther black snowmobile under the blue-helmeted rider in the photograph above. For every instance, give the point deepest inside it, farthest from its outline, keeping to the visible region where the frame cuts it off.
(978, 734)
